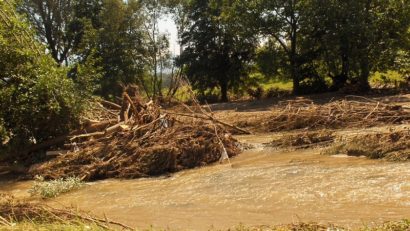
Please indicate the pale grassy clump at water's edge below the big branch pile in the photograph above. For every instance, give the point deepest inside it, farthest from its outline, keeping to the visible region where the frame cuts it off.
(53, 188)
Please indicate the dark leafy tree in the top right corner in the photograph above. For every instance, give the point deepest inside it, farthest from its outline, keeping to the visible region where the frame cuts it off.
(359, 37)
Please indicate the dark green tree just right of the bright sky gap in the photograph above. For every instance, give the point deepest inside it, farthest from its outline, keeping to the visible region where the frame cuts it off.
(215, 52)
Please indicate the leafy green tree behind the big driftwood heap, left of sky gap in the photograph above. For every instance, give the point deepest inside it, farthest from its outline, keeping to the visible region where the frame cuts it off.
(120, 46)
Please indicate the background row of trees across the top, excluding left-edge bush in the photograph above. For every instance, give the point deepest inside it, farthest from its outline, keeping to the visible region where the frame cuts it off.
(319, 45)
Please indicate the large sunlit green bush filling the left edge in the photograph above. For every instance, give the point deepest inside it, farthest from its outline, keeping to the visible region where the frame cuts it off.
(37, 99)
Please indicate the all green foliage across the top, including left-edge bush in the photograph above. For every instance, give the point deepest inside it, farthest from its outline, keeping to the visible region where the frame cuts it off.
(54, 54)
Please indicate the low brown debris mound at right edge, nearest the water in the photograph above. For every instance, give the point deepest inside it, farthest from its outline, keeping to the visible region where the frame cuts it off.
(393, 145)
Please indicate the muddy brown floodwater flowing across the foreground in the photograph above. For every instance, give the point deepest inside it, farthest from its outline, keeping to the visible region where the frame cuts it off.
(261, 187)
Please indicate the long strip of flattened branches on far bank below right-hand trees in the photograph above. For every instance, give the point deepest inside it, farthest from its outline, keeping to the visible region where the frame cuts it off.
(304, 114)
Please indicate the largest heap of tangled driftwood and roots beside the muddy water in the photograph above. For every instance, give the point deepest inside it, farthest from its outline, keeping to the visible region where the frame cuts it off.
(147, 141)
